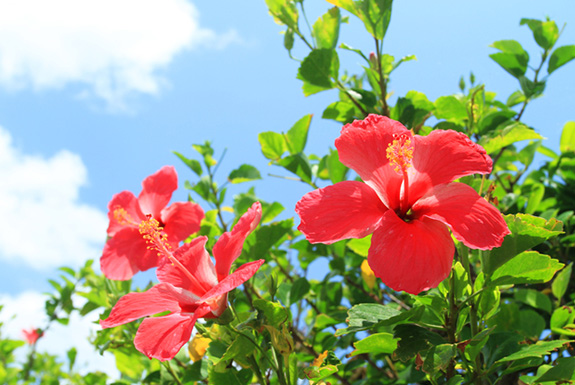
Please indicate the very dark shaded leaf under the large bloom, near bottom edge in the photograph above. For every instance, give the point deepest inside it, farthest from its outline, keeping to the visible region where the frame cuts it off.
(413, 340)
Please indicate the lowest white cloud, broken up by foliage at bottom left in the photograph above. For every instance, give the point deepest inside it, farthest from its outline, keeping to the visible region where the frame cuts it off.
(26, 311)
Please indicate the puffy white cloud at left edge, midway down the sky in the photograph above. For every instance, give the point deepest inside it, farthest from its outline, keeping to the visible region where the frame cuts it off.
(43, 223)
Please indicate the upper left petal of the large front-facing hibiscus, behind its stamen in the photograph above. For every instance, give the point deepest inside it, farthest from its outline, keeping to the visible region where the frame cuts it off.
(362, 146)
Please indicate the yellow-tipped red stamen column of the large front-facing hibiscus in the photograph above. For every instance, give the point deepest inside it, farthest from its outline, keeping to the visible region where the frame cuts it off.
(400, 153)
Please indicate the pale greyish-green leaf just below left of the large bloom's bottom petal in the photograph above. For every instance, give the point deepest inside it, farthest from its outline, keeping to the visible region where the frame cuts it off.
(367, 315)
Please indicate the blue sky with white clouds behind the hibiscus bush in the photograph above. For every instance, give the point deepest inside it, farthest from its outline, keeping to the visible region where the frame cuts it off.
(94, 97)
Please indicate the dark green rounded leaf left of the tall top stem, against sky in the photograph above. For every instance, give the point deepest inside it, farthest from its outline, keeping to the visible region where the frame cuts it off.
(319, 68)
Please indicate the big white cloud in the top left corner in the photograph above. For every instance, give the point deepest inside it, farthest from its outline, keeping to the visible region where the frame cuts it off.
(112, 47)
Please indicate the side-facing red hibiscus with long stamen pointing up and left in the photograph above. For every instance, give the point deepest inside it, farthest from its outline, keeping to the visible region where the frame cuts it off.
(190, 287)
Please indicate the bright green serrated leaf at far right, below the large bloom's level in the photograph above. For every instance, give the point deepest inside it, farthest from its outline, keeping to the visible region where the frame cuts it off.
(527, 267)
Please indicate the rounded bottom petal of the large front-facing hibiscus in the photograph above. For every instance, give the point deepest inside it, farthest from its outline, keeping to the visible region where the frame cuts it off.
(411, 256)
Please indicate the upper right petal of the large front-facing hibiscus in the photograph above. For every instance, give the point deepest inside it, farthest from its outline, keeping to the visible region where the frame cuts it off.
(443, 156)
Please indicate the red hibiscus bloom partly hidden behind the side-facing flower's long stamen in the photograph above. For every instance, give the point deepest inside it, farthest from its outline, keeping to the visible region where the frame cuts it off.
(126, 251)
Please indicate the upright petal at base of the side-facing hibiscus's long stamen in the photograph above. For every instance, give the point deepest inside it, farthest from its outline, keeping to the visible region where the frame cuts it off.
(194, 257)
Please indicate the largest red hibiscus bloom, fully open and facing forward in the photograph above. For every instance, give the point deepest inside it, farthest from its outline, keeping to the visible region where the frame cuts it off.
(408, 201)
